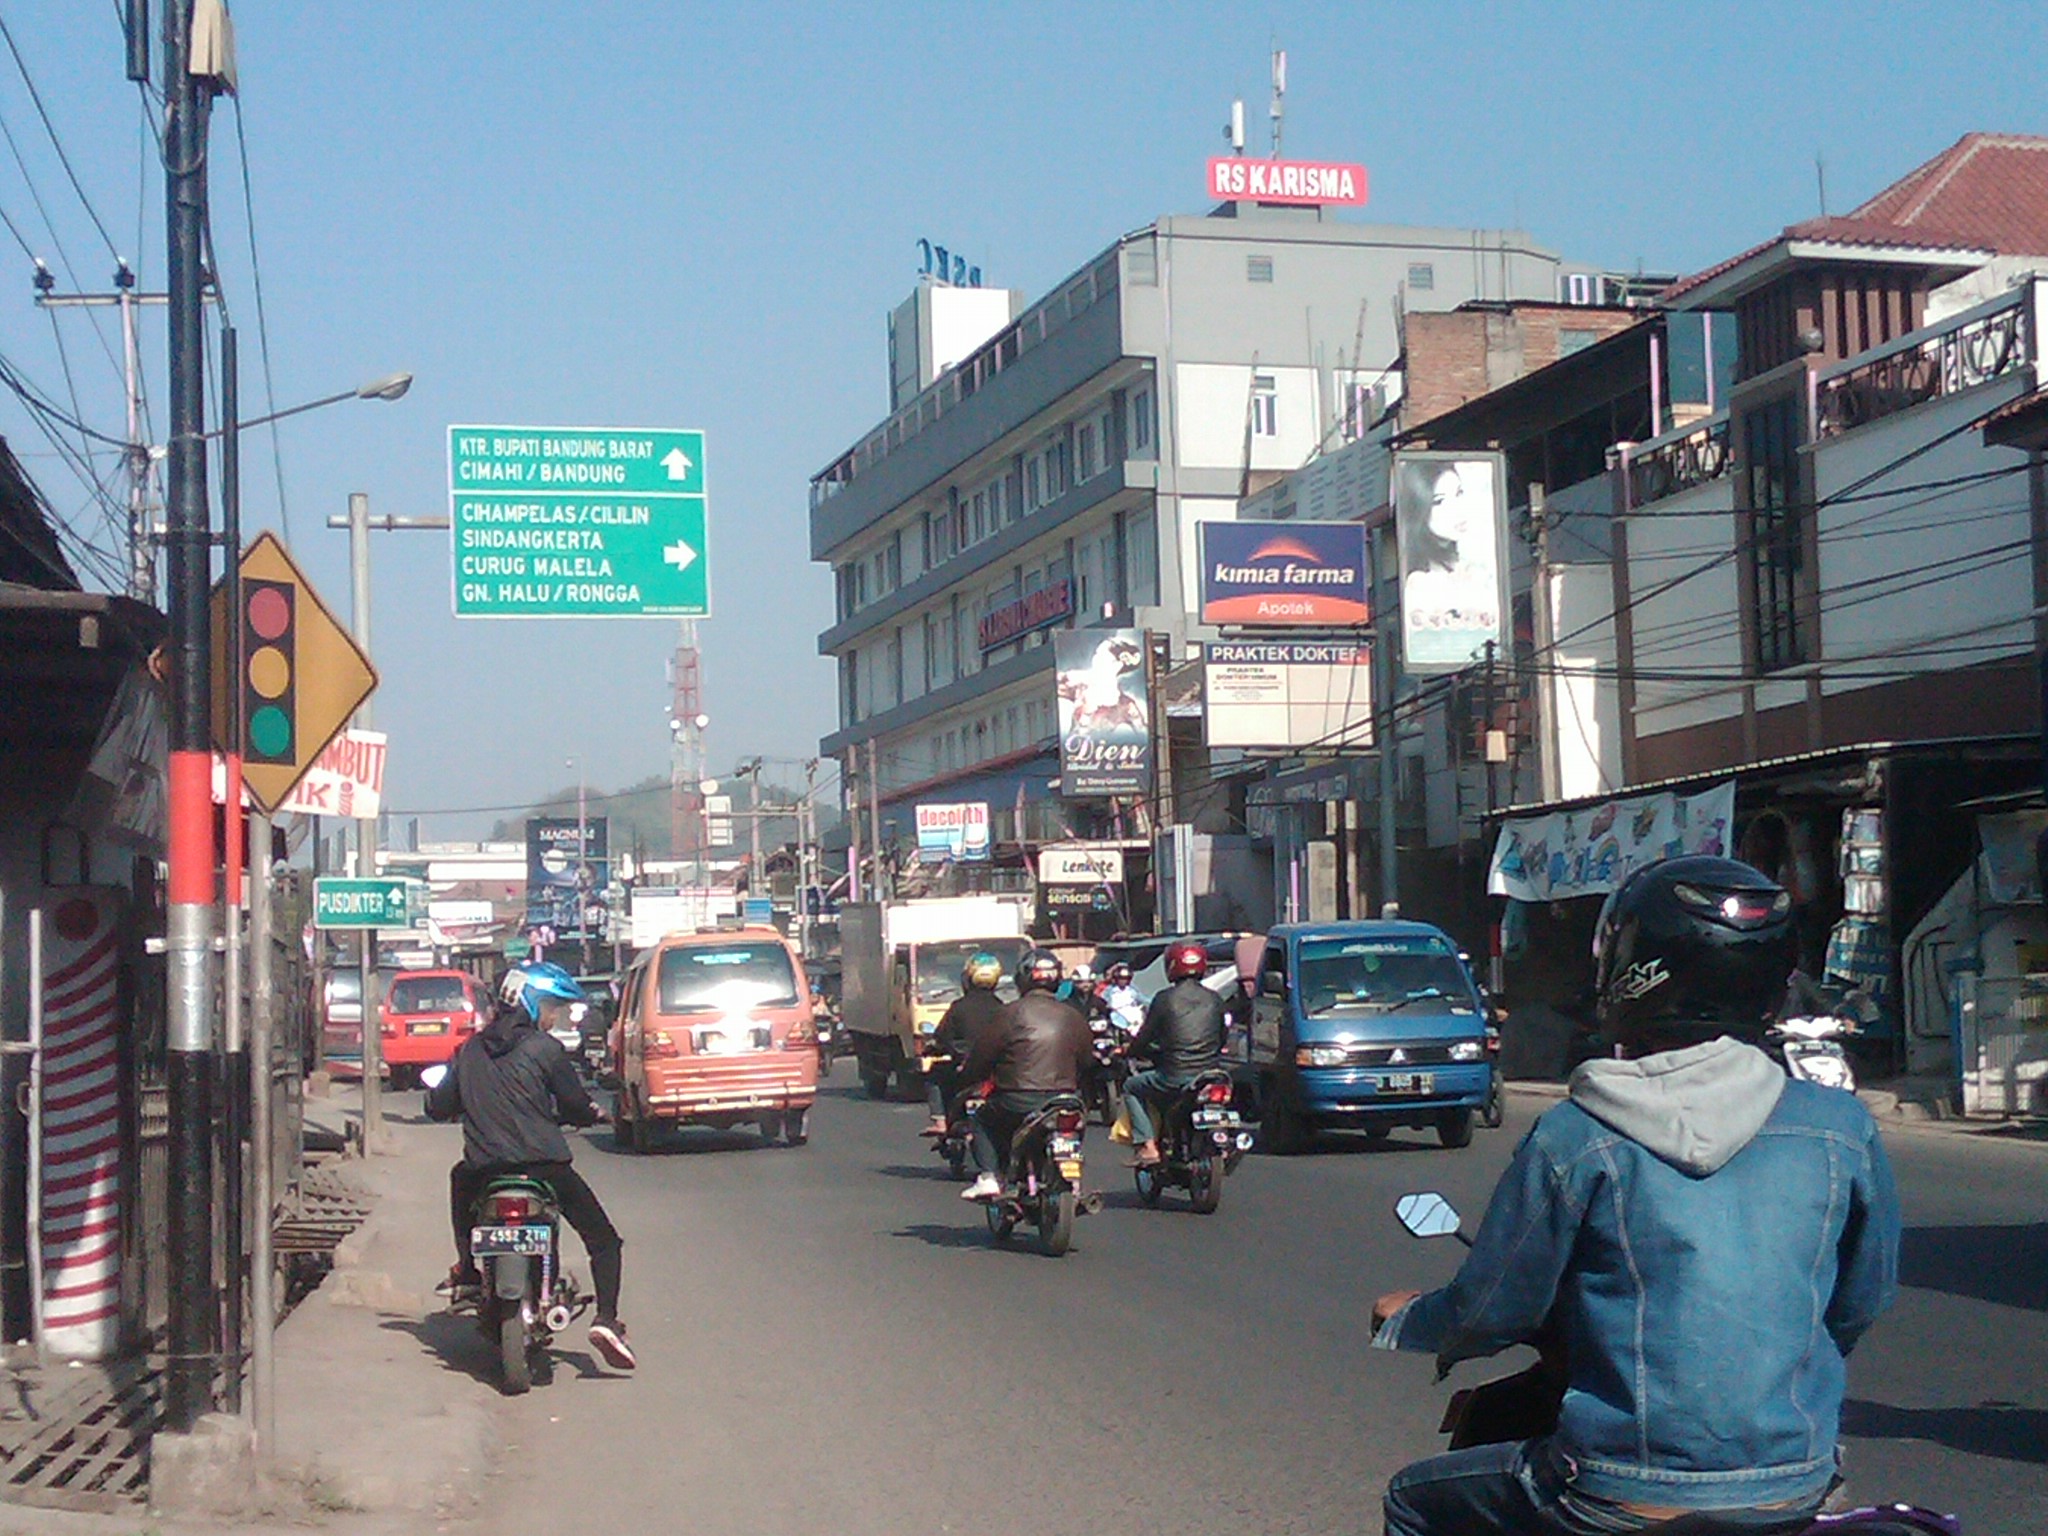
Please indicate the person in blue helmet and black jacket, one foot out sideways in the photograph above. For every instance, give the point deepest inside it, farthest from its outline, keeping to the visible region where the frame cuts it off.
(513, 1089)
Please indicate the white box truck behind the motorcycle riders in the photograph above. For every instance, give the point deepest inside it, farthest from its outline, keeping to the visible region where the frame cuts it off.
(902, 970)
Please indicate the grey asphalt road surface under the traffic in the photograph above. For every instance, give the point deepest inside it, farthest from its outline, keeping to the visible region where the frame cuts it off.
(830, 1345)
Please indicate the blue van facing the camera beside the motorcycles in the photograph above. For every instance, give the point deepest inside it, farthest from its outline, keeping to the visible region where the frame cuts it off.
(1367, 1027)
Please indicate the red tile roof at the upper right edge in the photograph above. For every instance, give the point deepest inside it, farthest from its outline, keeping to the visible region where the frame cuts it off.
(1988, 191)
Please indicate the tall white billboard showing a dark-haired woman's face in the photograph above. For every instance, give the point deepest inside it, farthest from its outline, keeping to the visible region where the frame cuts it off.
(1451, 517)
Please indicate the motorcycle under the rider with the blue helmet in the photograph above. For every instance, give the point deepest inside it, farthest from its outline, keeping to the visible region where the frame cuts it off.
(527, 1299)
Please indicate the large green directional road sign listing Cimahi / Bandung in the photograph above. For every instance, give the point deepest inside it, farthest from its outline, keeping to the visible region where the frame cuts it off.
(579, 523)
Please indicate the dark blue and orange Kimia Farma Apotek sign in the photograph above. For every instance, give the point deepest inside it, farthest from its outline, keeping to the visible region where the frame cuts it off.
(1285, 574)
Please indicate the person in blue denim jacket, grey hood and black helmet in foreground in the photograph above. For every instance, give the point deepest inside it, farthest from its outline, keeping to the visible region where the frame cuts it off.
(1707, 1238)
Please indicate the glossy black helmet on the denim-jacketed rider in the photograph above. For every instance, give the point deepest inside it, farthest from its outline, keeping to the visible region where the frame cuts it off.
(1691, 949)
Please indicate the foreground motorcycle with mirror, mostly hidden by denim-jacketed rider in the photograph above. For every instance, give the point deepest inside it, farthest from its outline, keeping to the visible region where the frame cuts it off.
(1527, 1406)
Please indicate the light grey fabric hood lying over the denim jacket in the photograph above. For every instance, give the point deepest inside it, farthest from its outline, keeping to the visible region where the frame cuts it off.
(1695, 1107)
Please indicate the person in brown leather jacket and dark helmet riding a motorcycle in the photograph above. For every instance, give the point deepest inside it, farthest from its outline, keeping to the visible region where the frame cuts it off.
(1037, 1050)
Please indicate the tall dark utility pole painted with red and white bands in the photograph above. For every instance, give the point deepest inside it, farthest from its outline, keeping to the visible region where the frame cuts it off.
(189, 919)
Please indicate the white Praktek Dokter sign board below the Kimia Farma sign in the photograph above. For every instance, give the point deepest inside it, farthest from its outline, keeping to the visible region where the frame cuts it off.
(1287, 695)
